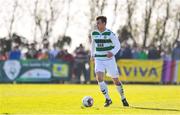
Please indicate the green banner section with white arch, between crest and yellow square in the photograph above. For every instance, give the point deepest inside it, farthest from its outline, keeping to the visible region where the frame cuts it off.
(35, 70)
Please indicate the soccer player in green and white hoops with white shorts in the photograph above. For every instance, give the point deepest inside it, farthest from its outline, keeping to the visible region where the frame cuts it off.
(104, 46)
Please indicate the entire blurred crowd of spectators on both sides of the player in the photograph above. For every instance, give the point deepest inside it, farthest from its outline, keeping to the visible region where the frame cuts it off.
(79, 59)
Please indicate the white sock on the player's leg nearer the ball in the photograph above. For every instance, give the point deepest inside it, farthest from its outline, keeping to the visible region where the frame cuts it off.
(104, 89)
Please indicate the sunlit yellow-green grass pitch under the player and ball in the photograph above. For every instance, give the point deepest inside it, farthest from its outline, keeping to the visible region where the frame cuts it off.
(66, 99)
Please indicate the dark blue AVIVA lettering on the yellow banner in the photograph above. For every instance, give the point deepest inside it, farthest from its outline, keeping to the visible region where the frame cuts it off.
(138, 71)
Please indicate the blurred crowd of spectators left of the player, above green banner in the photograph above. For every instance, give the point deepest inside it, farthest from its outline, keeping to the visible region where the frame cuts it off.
(78, 60)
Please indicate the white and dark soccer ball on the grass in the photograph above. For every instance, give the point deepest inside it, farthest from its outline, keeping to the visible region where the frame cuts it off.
(87, 101)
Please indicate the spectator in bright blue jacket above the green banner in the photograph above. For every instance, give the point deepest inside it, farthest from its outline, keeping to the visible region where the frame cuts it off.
(15, 53)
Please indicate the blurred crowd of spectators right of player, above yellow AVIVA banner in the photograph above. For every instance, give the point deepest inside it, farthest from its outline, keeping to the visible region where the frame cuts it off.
(151, 53)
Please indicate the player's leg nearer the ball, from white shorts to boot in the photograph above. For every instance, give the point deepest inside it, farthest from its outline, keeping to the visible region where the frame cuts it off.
(99, 70)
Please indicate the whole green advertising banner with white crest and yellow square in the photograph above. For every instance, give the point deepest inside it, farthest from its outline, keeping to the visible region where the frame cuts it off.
(34, 71)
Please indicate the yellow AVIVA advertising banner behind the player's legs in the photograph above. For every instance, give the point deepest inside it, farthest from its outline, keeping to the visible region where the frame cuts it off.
(137, 70)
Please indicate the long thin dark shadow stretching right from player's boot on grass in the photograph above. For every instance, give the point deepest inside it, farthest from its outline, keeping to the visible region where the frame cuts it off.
(157, 109)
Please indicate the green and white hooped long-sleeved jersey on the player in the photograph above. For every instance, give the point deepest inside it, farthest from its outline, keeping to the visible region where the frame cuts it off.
(103, 42)
